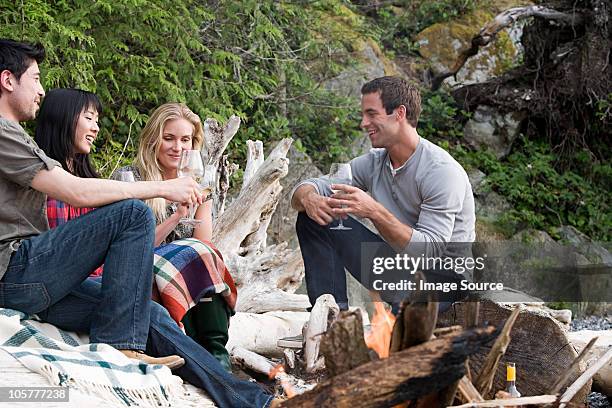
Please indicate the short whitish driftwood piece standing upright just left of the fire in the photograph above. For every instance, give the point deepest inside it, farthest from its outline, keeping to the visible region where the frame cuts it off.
(323, 314)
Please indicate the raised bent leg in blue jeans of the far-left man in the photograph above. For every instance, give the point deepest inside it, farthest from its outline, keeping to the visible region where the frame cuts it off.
(47, 270)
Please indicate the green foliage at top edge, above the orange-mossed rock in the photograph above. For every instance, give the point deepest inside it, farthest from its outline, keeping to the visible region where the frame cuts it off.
(399, 26)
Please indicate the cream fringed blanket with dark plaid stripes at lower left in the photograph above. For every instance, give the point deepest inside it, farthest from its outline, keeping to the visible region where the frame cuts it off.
(96, 369)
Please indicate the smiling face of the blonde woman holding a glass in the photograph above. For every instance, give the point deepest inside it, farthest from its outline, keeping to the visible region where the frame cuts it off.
(177, 135)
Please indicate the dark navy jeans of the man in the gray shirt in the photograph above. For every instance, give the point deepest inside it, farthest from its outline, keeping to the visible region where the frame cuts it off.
(326, 254)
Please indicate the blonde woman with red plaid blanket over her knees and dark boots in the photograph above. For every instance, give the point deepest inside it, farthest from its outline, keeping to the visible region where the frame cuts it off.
(182, 248)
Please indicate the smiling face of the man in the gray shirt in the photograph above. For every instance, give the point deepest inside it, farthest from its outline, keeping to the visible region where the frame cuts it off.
(382, 128)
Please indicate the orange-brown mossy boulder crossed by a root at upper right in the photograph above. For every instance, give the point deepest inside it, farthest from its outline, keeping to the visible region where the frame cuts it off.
(442, 43)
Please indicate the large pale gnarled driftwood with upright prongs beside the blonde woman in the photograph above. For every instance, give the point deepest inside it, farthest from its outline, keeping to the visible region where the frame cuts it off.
(266, 277)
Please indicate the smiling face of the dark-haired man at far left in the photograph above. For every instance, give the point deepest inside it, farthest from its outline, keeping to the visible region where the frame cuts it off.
(25, 93)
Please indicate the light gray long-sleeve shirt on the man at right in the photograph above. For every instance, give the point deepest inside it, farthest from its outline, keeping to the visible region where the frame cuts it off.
(431, 193)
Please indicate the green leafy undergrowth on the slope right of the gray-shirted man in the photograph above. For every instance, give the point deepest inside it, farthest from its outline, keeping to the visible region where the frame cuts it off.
(544, 198)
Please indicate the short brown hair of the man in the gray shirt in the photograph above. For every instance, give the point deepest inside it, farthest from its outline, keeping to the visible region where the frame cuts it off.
(395, 91)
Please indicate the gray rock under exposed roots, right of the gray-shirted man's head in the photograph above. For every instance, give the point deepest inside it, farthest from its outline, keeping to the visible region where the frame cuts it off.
(490, 129)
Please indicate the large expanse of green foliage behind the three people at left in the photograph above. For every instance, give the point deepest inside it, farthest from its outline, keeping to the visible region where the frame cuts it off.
(260, 60)
